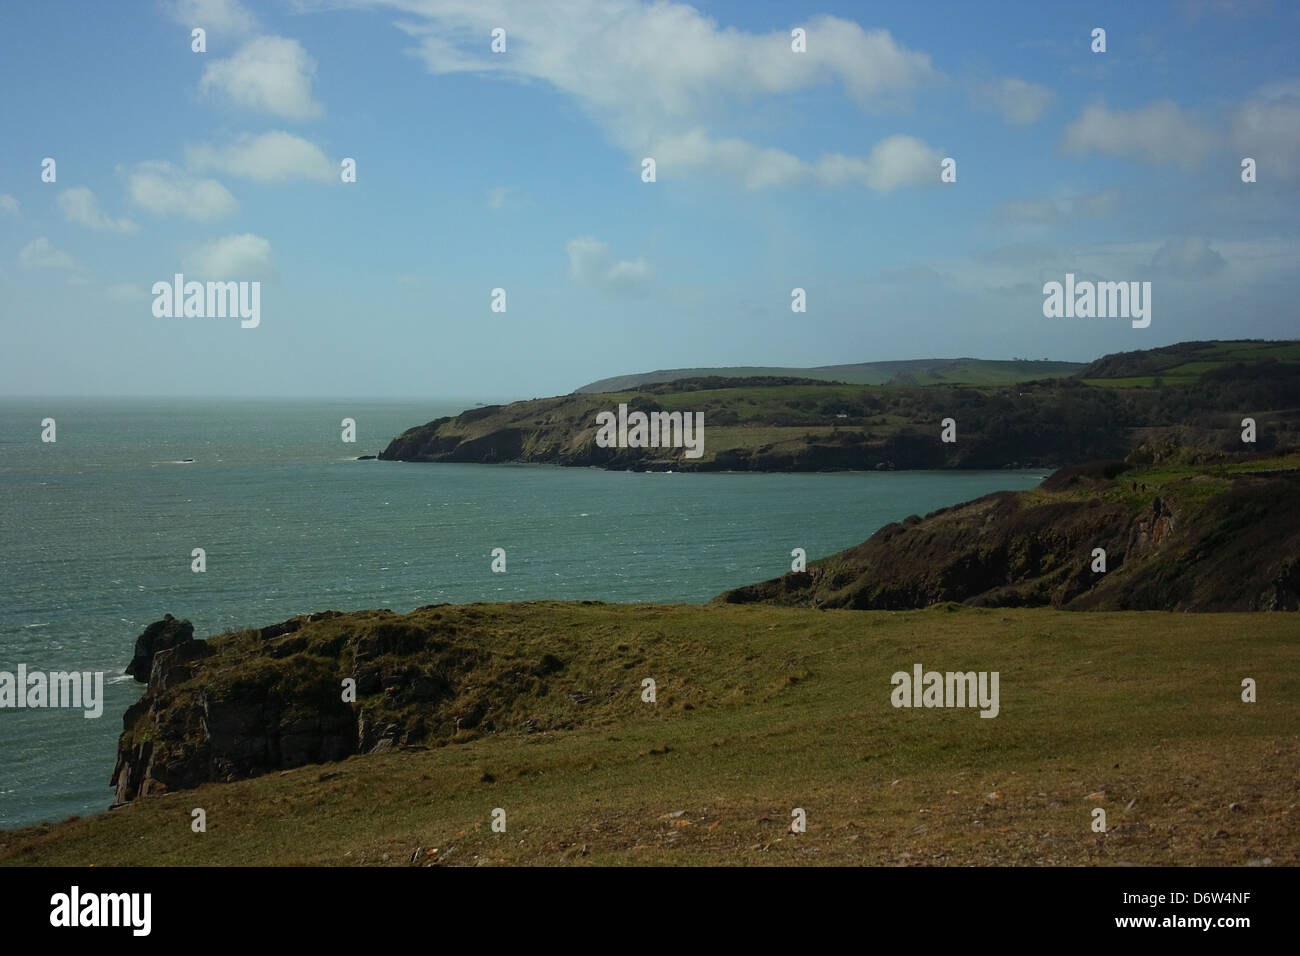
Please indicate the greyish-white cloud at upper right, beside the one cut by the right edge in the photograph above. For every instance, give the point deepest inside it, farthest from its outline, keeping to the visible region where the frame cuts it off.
(1158, 133)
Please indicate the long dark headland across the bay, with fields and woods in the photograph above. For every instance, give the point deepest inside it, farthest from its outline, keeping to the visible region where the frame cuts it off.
(786, 423)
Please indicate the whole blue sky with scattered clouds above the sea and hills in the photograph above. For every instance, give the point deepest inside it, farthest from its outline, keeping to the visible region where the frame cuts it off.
(523, 171)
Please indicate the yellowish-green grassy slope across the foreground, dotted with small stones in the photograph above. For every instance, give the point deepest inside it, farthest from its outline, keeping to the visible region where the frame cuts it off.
(766, 710)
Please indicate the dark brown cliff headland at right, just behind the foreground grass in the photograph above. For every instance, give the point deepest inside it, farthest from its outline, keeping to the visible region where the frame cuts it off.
(1198, 543)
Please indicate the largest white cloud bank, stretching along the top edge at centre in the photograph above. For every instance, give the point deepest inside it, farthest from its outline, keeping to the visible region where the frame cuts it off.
(619, 57)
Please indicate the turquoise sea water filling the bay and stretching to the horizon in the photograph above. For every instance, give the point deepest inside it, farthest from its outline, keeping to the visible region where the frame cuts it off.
(97, 534)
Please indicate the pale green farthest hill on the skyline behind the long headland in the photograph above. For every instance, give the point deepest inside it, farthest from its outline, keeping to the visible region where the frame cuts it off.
(903, 373)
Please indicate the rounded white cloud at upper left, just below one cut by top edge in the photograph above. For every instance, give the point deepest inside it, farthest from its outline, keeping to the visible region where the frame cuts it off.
(270, 75)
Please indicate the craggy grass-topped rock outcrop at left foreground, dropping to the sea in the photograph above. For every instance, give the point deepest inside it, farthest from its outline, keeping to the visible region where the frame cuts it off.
(249, 703)
